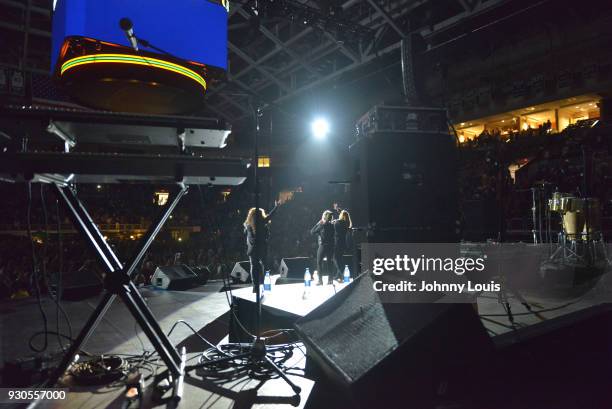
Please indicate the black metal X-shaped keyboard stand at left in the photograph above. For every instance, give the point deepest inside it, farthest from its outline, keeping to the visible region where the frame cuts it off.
(117, 282)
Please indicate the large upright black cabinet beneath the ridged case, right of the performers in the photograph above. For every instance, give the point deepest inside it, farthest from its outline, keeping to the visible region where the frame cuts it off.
(403, 187)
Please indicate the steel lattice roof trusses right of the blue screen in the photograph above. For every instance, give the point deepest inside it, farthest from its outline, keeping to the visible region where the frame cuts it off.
(297, 58)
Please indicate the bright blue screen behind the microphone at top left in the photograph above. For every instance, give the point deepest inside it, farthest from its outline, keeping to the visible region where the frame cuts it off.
(194, 30)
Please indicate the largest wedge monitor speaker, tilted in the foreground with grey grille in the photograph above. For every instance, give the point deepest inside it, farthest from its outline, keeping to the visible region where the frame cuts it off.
(391, 355)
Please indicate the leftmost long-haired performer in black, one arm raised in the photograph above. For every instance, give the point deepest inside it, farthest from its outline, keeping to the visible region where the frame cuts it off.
(258, 262)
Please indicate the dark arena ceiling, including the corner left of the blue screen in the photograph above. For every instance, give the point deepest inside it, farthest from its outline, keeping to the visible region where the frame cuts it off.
(278, 49)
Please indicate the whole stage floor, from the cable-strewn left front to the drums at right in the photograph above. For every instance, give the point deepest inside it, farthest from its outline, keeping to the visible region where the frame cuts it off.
(207, 310)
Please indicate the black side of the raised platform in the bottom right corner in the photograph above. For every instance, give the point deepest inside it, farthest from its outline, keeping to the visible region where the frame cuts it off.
(560, 363)
